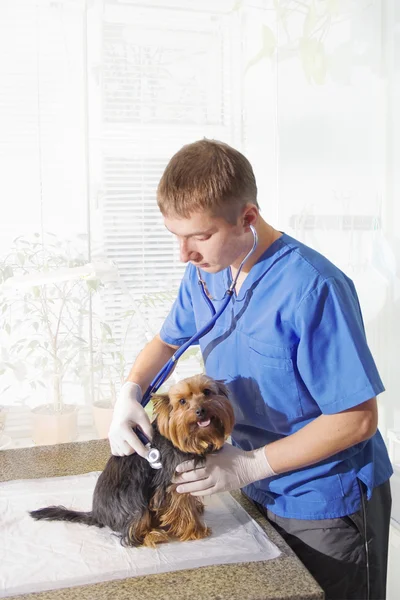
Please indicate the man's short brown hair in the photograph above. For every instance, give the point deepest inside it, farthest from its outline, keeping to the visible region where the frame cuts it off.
(207, 175)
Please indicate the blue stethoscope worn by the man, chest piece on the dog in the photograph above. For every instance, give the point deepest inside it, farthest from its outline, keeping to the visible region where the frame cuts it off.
(154, 457)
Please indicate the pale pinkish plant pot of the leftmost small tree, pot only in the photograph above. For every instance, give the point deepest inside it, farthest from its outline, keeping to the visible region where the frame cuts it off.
(54, 427)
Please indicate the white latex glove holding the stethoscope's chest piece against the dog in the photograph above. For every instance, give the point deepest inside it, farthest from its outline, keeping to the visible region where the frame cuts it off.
(129, 413)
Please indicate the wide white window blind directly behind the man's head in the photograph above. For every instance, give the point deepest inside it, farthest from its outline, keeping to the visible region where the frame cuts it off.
(164, 77)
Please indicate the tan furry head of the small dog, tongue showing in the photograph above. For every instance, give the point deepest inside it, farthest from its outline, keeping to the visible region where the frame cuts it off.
(195, 415)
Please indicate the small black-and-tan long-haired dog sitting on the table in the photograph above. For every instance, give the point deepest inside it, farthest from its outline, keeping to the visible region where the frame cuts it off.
(140, 504)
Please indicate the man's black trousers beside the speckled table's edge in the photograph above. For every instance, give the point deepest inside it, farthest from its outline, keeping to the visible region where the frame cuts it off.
(346, 556)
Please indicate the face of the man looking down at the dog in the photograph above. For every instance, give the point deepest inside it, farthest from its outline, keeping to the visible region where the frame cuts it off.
(209, 242)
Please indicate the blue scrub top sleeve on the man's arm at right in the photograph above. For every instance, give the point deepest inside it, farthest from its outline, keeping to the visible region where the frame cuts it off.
(333, 357)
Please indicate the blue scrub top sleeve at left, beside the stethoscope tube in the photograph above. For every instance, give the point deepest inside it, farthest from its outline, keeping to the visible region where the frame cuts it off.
(180, 326)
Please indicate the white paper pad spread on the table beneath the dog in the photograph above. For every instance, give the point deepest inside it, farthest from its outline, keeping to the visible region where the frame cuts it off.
(41, 555)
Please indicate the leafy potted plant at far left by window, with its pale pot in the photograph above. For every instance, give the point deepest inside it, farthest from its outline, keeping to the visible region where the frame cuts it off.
(45, 314)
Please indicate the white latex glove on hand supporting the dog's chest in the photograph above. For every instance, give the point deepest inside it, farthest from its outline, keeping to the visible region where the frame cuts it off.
(226, 470)
